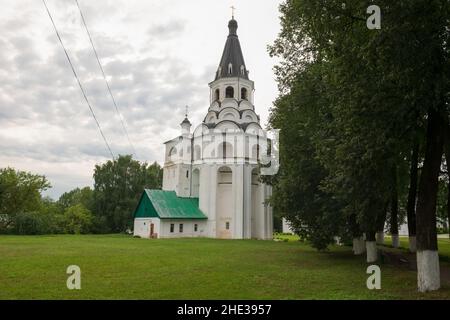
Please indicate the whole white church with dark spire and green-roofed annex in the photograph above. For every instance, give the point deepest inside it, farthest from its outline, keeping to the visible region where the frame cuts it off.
(211, 184)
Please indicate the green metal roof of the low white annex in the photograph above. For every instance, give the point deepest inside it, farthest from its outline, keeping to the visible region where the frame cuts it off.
(166, 205)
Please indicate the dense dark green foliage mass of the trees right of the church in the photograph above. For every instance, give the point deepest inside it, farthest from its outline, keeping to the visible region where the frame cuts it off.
(352, 102)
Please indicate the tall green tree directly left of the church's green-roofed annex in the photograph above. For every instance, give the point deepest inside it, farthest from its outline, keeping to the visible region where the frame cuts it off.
(118, 185)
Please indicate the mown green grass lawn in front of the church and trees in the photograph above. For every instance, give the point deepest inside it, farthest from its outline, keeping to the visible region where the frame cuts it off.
(122, 267)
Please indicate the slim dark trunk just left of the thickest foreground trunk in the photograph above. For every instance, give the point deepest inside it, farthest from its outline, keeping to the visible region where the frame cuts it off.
(412, 194)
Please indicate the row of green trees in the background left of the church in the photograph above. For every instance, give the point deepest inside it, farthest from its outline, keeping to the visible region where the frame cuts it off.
(107, 208)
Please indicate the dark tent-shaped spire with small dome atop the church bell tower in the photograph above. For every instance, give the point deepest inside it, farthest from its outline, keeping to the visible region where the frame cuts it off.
(232, 53)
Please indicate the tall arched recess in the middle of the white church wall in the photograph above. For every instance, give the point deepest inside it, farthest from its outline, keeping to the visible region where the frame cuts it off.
(224, 203)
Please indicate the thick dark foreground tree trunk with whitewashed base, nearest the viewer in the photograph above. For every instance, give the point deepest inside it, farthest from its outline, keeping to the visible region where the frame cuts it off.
(428, 275)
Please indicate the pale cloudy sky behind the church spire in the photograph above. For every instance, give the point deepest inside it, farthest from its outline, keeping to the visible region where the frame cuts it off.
(158, 56)
